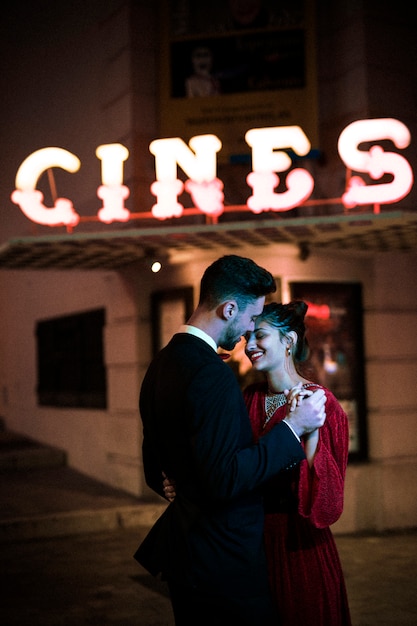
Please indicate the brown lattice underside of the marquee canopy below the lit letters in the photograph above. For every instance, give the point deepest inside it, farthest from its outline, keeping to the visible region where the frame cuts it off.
(395, 231)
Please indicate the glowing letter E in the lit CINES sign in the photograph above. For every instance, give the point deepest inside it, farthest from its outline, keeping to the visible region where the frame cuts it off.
(266, 160)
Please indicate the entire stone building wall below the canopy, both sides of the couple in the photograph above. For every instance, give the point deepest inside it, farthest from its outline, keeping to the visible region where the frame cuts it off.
(106, 444)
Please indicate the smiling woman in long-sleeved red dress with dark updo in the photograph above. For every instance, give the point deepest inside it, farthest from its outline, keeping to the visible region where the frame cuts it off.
(300, 504)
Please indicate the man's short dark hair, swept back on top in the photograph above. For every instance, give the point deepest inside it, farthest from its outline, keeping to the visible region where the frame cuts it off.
(237, 278)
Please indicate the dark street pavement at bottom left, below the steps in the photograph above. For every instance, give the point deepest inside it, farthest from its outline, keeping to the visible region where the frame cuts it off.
(85, 579)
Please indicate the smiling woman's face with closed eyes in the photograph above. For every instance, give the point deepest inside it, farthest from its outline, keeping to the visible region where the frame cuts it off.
(264, 347)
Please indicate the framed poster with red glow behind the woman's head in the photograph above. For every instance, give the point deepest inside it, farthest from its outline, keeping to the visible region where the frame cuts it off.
(336, 361)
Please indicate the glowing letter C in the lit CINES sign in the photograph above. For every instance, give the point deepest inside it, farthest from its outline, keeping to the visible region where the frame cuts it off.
(30, 199)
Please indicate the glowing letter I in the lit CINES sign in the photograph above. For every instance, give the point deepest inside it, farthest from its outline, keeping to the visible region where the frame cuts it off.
(112, 191)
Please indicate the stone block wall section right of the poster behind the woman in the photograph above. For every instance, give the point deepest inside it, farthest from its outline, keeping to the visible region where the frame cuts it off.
(381, 494)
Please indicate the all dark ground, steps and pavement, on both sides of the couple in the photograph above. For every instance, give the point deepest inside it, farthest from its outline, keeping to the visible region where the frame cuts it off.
(67, 545)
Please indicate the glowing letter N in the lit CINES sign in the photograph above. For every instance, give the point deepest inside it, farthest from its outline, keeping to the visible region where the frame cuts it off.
(199, 164)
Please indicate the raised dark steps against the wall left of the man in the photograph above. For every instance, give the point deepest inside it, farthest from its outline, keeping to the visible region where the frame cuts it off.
(42, 497)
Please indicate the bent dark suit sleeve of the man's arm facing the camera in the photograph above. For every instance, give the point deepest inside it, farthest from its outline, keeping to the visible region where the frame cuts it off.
(228, 461)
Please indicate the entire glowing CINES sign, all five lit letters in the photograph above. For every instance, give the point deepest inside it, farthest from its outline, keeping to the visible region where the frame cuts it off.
(198, 160)
